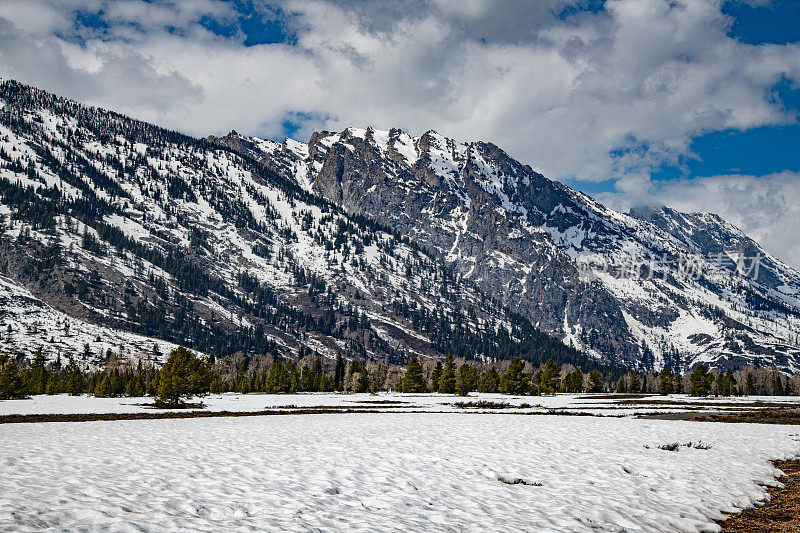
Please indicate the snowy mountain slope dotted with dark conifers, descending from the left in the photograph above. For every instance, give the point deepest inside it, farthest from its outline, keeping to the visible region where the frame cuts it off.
(119, 237)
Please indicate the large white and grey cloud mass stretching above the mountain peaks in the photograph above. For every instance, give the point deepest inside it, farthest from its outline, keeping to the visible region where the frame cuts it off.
(559, 94)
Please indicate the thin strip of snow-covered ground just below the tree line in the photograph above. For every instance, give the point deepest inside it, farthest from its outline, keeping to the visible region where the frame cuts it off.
(570, 403)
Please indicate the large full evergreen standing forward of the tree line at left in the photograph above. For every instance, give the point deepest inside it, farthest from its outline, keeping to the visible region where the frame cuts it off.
(183, 376)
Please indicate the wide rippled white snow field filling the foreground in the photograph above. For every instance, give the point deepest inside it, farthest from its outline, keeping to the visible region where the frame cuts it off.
(383, 472)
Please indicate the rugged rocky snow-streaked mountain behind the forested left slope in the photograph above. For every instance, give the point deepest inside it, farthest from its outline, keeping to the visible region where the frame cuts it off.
(651, 288)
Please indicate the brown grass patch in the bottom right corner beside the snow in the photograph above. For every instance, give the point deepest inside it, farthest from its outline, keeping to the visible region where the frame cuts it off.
(779, 515)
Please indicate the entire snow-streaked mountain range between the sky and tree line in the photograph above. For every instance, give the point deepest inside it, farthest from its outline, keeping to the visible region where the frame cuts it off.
(365, 243)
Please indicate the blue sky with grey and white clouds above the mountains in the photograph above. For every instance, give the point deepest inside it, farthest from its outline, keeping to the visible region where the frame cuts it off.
(689, 103)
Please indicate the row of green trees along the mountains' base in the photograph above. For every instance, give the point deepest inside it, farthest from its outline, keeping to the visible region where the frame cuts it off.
(184, 375)
